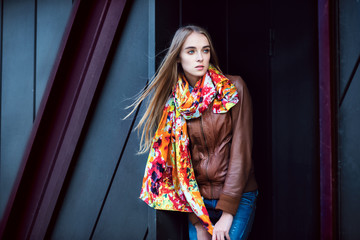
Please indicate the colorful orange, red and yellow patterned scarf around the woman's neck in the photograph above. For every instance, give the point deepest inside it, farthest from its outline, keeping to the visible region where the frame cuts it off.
(169, 182)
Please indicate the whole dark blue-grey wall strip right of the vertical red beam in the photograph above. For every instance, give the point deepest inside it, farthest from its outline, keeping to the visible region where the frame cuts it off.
(349, 118)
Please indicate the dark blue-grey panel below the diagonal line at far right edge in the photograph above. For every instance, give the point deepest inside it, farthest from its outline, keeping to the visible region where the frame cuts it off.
(349, 152)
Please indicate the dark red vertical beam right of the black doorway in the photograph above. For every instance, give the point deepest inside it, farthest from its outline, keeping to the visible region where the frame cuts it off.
(326, 124)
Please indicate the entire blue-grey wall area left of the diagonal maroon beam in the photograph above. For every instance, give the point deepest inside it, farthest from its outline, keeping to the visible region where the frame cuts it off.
(31, 31)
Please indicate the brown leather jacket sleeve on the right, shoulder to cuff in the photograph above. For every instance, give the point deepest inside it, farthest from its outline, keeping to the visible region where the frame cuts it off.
(240, 162)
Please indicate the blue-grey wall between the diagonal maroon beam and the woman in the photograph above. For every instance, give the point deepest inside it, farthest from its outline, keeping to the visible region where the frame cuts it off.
(104, 142)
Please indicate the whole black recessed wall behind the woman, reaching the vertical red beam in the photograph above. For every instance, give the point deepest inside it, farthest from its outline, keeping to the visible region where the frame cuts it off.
(273, 46)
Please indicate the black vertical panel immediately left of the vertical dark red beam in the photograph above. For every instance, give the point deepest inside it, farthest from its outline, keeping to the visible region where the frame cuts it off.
(295, 172)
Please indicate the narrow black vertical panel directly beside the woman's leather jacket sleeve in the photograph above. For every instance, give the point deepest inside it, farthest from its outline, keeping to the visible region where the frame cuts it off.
(248, 57)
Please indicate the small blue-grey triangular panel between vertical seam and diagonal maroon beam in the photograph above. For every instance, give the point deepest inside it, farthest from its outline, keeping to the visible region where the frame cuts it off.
(52, 16)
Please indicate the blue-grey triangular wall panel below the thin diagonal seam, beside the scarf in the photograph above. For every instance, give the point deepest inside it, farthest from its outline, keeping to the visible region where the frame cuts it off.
(125, 215)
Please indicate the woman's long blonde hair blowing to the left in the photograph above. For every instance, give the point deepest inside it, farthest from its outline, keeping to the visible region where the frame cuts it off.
(162, 84)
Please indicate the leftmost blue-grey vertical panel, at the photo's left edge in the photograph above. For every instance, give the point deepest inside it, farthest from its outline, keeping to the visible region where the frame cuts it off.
(17, 88)
